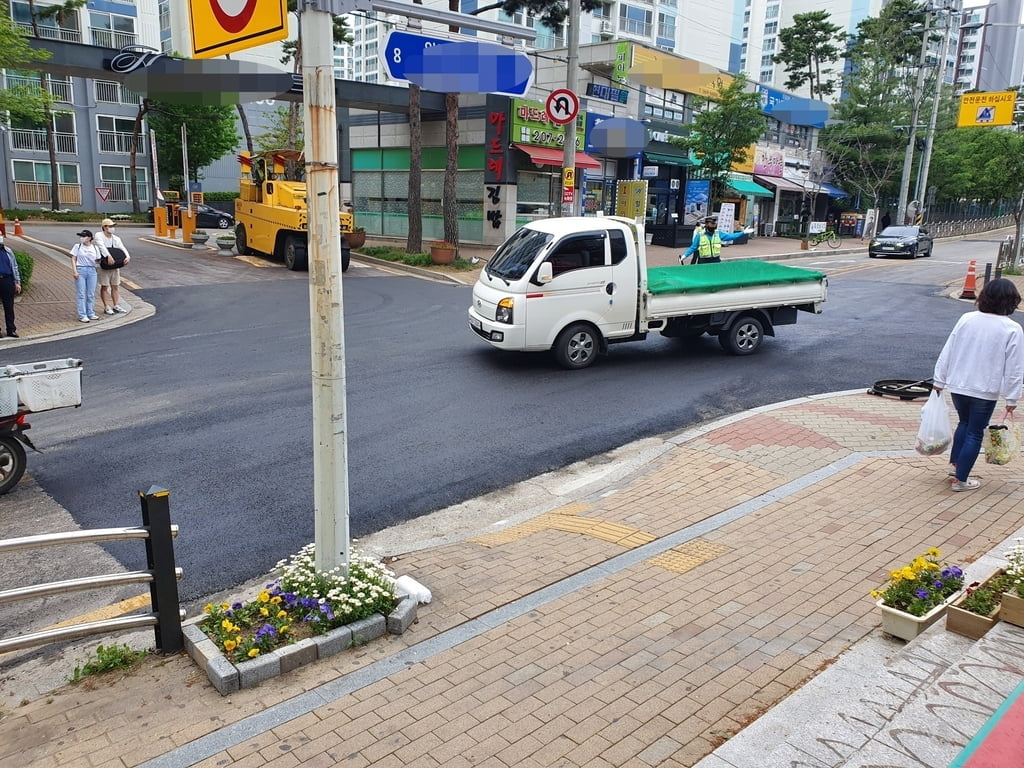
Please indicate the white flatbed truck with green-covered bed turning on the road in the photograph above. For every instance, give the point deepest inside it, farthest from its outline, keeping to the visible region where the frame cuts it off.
(576, 285)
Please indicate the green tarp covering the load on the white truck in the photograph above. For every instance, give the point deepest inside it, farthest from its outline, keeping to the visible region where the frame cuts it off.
(726, 276)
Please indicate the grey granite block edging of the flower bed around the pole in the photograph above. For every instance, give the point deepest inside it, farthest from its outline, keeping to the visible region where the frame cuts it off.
(230, 678)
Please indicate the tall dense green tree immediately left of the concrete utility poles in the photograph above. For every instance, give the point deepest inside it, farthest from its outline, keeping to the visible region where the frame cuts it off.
(866, 150)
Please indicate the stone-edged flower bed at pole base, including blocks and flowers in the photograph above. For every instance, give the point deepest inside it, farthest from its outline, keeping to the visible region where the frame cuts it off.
(303, 616)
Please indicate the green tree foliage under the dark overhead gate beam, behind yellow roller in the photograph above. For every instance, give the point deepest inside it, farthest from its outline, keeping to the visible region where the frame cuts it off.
(210, 132)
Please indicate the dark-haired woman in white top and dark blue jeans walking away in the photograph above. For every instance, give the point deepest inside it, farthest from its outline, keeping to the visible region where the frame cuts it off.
(983, 361)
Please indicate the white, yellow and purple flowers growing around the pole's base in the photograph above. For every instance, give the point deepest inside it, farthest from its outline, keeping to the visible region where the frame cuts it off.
(302, 603)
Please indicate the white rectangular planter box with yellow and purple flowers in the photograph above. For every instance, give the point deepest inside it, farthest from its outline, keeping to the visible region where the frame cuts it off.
(918, 595)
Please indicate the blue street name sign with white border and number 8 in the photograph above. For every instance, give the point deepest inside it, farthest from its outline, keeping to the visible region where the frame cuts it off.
(462, 67)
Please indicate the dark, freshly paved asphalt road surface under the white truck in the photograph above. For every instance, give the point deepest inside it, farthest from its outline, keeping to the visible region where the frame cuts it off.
(211, 398)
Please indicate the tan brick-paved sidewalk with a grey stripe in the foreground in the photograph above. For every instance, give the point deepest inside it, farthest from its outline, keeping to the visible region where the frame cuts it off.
(639, 623)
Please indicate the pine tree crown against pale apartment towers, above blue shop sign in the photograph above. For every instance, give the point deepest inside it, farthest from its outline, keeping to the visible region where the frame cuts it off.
(807, 49)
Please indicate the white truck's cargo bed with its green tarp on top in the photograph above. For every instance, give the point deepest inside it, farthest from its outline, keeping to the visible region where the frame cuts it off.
(702, 289)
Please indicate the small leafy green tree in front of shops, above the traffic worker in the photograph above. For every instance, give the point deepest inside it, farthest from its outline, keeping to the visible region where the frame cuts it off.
(722, 132)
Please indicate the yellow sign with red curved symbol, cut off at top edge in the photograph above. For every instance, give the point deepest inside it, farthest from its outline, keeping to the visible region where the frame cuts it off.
(221, 27)
